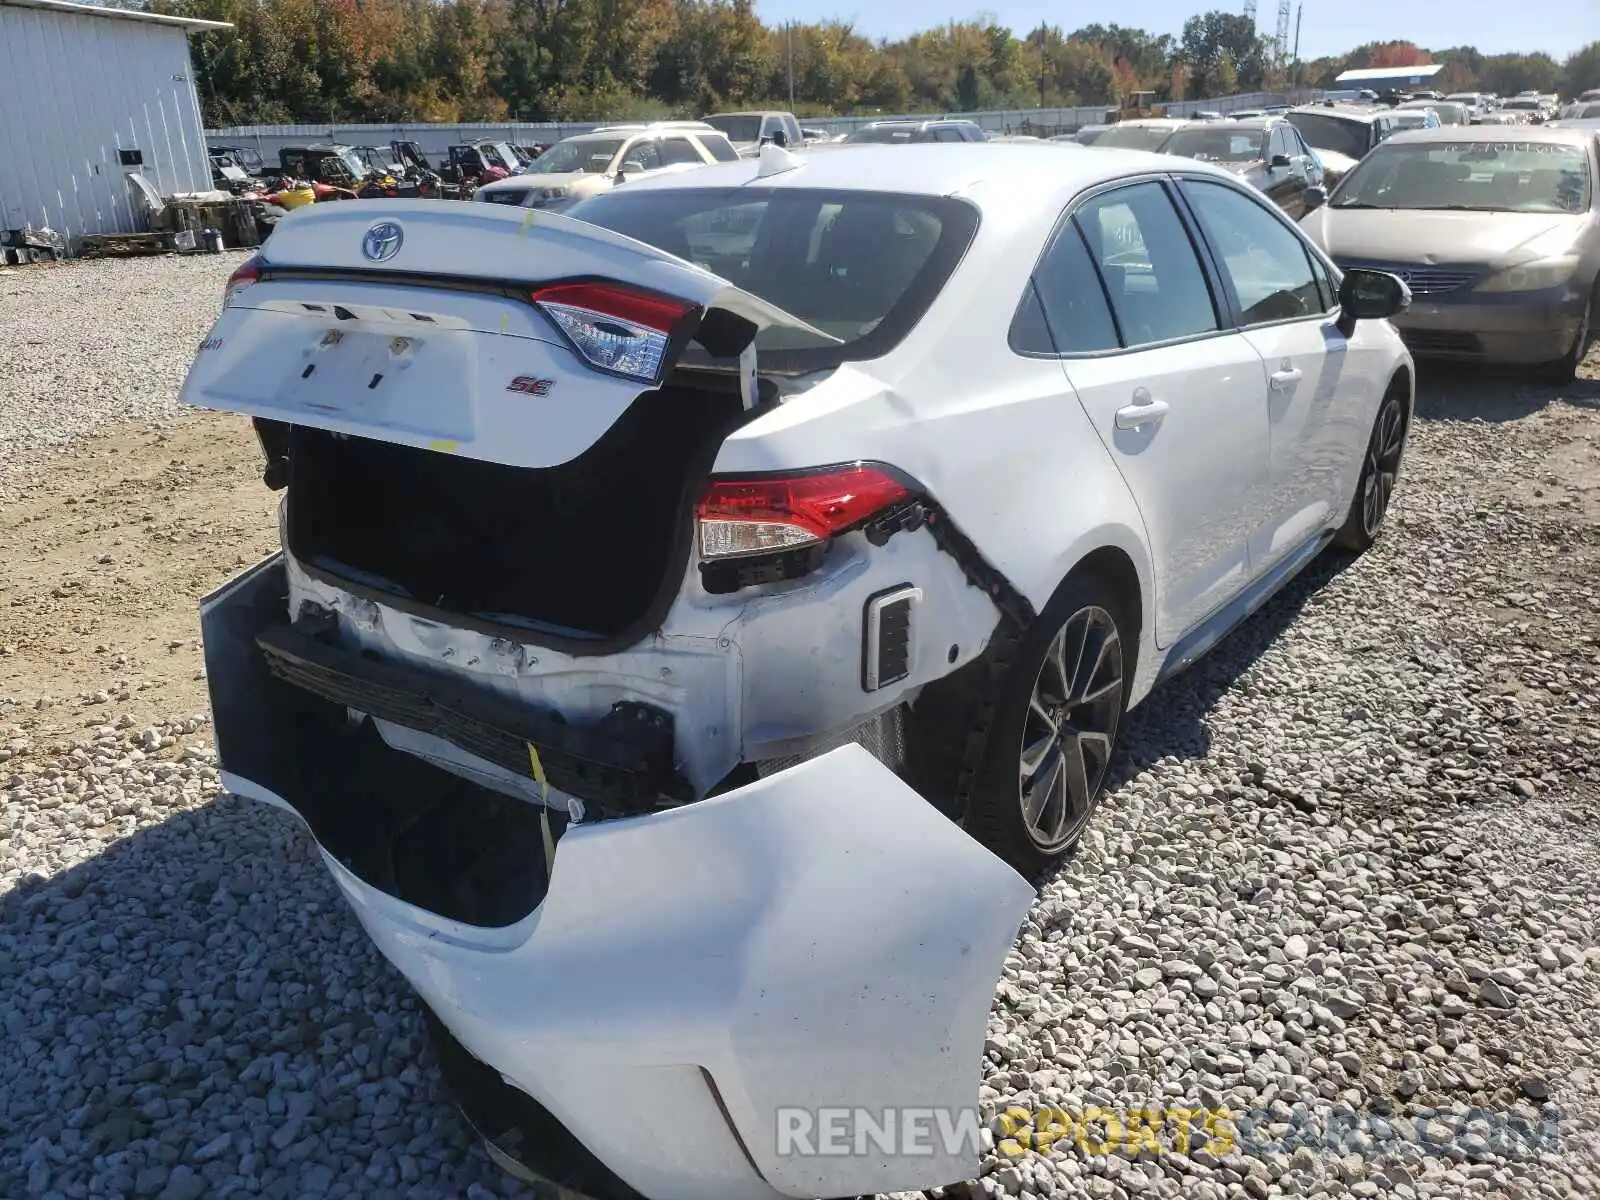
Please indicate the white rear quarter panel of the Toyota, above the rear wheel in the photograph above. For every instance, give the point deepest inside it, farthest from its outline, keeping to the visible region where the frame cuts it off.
(998, 439)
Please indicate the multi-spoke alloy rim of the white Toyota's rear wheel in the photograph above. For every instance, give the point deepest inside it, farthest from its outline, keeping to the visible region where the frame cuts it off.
(1070, 729)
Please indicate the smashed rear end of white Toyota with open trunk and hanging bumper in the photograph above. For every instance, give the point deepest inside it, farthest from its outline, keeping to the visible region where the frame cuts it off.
(527, 670)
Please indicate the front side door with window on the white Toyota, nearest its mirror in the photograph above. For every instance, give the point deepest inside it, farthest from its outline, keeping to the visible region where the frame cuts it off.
(1314, 401)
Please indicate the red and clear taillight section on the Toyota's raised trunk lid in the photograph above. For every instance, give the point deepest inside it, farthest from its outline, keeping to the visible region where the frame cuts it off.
(615, 329)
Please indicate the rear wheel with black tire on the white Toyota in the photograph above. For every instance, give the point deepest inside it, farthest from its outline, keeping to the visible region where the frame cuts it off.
(1090, 620)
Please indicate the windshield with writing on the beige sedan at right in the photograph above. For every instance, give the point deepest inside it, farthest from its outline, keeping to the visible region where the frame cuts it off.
(1489, 177)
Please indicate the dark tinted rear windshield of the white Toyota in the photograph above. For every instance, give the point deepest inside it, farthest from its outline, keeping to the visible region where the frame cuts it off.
(858, 266)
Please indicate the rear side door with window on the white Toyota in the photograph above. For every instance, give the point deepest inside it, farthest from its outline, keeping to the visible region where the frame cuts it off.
(1180, 404)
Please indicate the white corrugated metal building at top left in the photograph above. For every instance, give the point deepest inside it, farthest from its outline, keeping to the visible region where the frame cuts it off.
(89, 97)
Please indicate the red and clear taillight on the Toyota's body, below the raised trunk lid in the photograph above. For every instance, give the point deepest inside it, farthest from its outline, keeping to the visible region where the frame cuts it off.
(761, 516)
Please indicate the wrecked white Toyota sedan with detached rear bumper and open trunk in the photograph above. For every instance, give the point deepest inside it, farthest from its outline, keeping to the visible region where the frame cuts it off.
(700, 614)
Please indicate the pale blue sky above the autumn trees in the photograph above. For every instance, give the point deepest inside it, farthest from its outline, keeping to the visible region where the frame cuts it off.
(1329, 26)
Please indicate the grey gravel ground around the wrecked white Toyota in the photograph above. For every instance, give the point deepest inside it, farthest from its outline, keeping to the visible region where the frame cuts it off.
(1350, 879)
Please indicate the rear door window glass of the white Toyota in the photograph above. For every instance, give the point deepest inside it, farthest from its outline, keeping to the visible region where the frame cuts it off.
(1150, 265)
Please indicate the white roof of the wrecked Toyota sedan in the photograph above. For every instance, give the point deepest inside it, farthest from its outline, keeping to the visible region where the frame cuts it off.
(993, 174)
